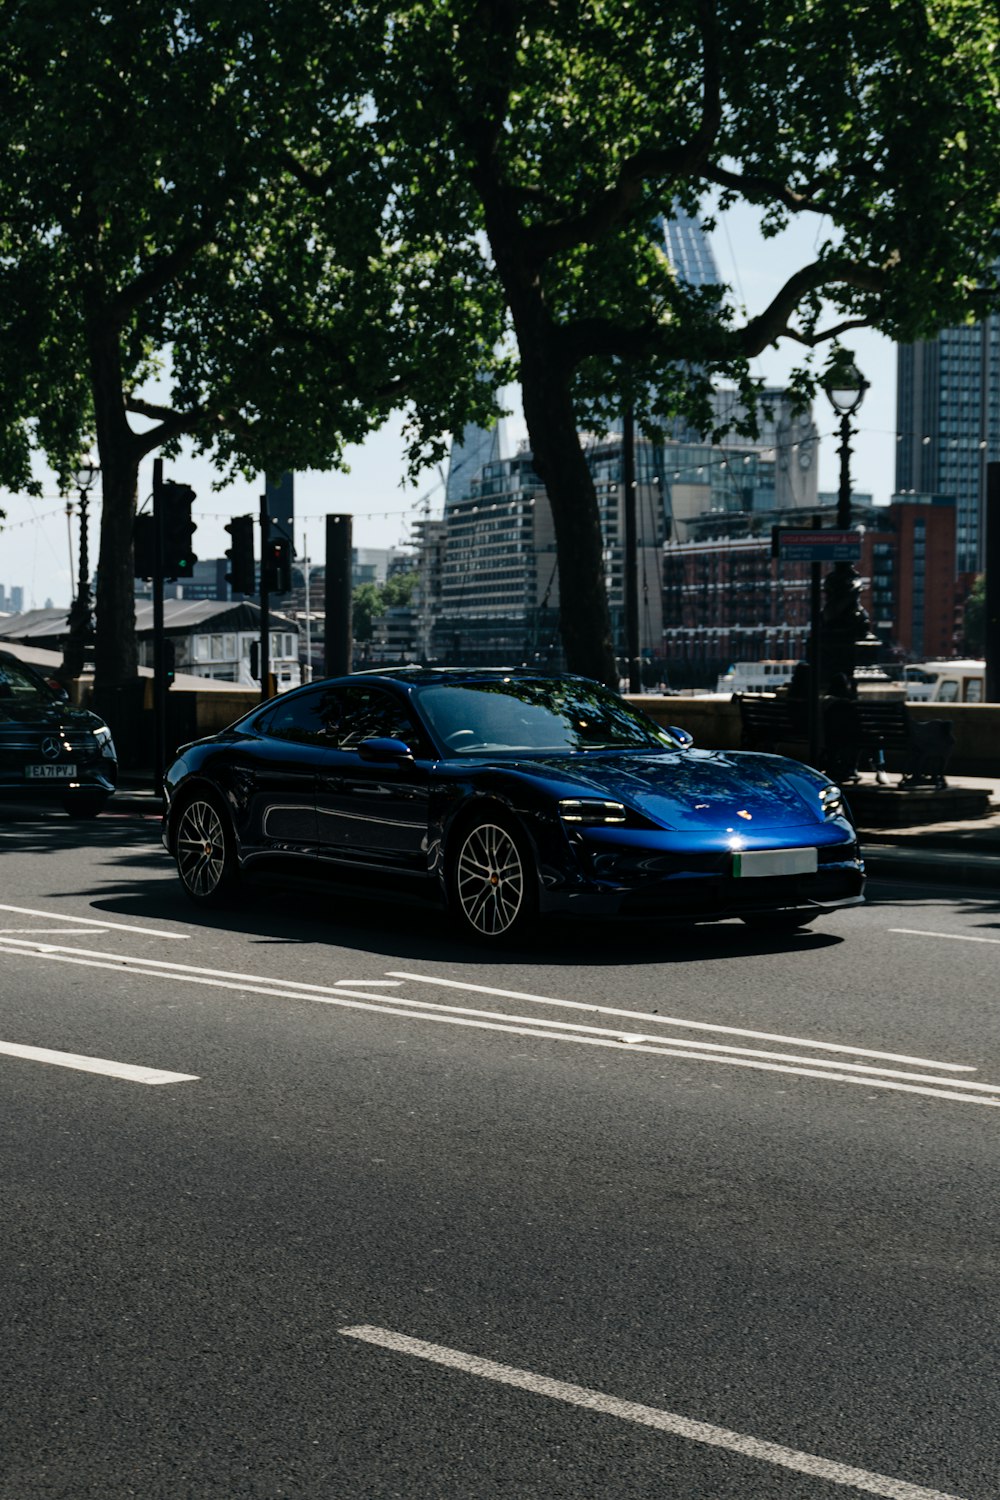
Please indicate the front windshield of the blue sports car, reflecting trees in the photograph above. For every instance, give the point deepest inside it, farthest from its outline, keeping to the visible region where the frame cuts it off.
(536, 716)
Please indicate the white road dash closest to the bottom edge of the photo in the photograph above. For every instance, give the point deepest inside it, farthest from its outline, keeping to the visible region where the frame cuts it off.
(740, 1444)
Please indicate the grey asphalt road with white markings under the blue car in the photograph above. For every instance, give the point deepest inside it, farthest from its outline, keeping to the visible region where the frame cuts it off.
(696, 1216)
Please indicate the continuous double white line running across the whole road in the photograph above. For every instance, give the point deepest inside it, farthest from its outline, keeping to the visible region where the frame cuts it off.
(944, 1088)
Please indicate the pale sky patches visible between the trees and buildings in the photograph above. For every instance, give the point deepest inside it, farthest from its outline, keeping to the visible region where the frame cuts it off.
(35, 542)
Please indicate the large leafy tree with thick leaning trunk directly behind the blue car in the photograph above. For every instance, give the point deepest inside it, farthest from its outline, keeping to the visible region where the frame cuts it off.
(558, 133)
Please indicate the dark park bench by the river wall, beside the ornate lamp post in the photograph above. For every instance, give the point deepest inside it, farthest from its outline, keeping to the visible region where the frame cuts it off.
(884, 736)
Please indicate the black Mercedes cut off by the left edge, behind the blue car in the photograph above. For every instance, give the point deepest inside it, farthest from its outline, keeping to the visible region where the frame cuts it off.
(52, 752)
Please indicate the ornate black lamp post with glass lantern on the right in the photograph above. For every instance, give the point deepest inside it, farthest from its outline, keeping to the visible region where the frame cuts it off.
(843, 620)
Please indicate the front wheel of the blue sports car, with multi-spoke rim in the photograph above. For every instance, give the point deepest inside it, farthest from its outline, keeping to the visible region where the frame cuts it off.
(493, 880)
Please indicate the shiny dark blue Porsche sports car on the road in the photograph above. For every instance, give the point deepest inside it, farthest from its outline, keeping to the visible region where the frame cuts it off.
(507, 794)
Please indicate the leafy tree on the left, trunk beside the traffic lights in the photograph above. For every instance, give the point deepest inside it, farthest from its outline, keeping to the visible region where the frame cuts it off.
(161, 269)
